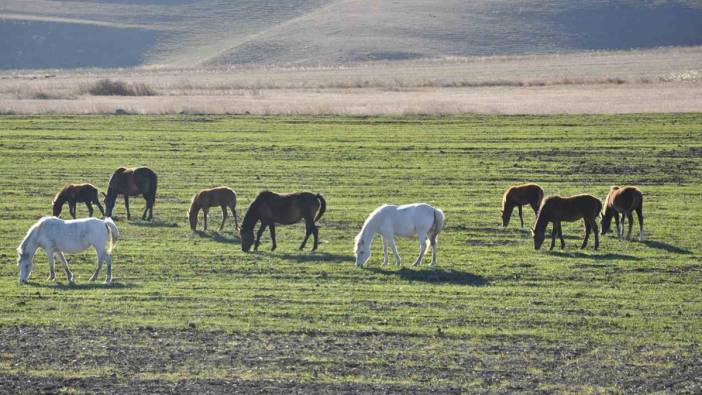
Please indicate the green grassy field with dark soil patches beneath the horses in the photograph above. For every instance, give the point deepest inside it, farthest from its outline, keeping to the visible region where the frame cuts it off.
(191, 312)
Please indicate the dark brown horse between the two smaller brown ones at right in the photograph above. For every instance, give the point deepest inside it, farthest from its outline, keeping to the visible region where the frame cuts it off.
(569, 209)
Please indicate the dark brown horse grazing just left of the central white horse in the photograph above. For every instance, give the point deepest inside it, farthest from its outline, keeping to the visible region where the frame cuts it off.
(271, 208)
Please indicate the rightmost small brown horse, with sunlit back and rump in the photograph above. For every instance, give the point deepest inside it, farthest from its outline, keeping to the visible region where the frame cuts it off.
(623, 201)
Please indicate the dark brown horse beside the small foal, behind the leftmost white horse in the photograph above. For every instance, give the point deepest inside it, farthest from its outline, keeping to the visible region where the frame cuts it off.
(132, 182)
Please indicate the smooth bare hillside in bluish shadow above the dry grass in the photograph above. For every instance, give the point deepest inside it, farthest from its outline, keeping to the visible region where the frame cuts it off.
(123, 33)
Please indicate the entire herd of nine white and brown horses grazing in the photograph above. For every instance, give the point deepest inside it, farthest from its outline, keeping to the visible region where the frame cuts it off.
(57, 236)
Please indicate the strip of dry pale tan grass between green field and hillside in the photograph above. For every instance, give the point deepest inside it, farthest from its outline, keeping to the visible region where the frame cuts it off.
(662, 80)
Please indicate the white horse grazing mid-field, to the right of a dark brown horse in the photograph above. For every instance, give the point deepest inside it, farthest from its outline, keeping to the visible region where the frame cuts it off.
(408, 220)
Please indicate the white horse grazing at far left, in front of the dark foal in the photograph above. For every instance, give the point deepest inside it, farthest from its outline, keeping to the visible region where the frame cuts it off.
(57, 236)
